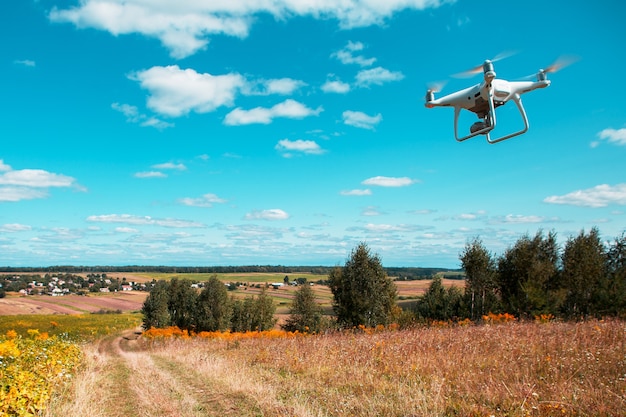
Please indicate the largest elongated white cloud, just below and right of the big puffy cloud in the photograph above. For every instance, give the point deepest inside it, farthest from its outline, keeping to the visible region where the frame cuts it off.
(289, 109)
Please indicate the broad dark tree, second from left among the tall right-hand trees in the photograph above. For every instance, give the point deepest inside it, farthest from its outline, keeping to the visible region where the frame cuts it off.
(527, 273)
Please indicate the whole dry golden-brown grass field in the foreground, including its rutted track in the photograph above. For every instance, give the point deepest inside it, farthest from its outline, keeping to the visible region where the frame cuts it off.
(513, 369)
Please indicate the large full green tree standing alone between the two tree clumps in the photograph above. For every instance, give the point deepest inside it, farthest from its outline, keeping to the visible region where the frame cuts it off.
(362, 292)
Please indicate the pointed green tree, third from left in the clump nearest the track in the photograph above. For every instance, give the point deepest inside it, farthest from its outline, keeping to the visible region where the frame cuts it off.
(213, 308)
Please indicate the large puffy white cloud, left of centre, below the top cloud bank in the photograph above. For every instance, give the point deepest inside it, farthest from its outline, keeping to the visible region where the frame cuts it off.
(176, 92)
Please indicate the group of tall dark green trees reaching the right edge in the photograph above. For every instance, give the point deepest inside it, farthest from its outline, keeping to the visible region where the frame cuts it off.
(586, 278)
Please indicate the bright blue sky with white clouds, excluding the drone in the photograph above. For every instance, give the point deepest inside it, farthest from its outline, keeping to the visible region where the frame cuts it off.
(287, 131)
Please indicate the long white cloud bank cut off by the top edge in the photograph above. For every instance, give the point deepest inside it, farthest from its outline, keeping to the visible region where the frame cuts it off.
(184, 26)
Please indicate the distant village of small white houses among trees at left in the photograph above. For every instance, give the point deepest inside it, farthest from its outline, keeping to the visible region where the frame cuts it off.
(58, 284)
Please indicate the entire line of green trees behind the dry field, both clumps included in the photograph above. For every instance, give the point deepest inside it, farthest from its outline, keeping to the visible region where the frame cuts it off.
(533, 277)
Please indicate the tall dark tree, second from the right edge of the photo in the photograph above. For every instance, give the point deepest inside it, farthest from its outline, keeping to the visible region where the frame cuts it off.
(584, 274)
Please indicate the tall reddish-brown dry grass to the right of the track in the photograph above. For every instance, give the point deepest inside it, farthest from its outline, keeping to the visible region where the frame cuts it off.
(510, 369)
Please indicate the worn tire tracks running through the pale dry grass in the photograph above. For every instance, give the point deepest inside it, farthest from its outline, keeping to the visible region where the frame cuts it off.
(143, 383)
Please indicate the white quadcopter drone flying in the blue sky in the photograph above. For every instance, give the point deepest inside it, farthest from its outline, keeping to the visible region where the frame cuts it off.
(484, 98)
